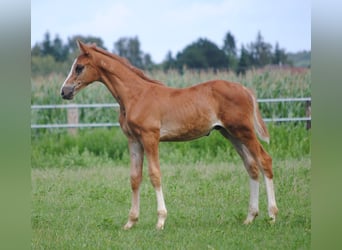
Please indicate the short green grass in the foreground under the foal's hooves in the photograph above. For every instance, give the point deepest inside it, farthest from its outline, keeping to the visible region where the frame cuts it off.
(87, 208)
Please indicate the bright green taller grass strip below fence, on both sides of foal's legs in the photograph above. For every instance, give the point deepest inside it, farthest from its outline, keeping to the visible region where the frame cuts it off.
(59, 149)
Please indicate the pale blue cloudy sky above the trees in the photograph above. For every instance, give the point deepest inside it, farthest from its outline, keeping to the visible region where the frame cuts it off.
(171, 25)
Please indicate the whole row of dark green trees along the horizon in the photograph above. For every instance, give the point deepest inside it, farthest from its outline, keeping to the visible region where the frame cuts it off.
(54, 55)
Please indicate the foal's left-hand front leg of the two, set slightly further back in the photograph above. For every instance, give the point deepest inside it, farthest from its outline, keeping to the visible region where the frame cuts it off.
(136, 156)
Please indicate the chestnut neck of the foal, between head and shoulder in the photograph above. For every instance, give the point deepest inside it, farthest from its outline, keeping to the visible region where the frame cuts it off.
(123, 83)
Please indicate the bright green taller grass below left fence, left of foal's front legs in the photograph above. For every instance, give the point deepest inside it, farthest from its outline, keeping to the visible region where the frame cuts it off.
(90, 147)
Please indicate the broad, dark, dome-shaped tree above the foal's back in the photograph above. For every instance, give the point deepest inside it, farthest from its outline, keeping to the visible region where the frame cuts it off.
(202, 54)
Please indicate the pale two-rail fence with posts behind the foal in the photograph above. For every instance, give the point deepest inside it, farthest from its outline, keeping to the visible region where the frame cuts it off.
(73, 123)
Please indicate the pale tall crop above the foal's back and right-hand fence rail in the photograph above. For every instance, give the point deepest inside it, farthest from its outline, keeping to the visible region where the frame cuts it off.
(266, 83)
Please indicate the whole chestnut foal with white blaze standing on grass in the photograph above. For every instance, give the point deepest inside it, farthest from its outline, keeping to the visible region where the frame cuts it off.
(151, 112)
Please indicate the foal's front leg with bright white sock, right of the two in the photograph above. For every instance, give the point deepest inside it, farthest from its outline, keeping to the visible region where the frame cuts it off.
(152, 153)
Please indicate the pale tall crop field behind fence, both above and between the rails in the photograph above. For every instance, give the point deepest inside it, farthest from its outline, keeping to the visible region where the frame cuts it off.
(266, 84)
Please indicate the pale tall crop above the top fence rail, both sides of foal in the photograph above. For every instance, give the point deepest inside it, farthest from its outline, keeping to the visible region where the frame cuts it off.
(266, 83)
